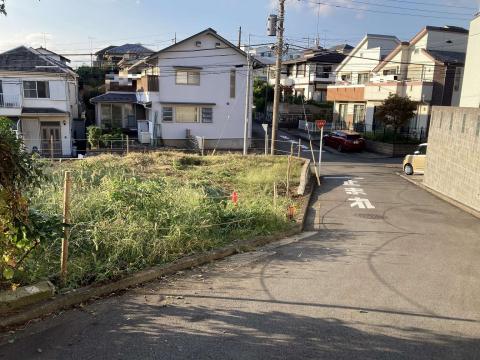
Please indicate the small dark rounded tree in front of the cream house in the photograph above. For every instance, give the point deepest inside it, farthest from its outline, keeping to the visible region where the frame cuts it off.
(396, 111)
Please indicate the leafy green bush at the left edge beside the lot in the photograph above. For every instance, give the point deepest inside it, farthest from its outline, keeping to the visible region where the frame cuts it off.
(21, 228)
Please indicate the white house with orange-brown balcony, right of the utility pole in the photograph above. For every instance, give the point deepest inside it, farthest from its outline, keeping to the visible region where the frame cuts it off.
(352, 75)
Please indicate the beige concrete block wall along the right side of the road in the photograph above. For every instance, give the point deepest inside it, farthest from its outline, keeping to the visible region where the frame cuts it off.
(453, 154)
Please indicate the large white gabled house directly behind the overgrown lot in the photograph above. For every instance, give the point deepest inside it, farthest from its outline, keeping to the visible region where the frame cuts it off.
(196, 86)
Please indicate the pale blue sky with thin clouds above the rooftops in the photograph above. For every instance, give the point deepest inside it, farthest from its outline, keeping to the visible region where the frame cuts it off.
(77, 26)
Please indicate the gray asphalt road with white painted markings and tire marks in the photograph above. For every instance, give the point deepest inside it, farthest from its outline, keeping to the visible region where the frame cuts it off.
(396, 279)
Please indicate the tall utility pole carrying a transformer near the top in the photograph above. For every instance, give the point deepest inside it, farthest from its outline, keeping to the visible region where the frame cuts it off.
(278, 72)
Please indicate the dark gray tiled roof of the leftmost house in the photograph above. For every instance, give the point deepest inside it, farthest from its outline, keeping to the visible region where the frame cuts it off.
(26, 59)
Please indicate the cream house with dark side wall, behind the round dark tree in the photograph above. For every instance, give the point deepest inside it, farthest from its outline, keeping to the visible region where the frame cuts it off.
(428, 69)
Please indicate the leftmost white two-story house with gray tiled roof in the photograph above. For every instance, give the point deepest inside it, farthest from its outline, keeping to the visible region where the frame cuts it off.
(39, 93)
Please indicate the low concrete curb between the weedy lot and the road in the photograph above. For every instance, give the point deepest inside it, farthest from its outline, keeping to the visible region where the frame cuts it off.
(80, 295)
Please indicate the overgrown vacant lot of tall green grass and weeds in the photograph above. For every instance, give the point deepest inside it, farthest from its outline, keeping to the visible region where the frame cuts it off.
(146, 209)
